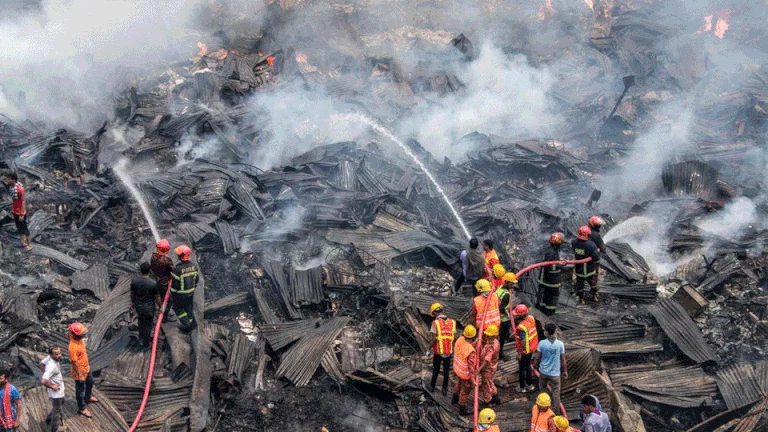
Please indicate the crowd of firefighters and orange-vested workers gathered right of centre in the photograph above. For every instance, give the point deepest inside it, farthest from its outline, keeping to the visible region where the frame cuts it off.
(475, 360)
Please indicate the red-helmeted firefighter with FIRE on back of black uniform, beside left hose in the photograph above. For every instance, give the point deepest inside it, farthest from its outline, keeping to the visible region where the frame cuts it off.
(184, 282)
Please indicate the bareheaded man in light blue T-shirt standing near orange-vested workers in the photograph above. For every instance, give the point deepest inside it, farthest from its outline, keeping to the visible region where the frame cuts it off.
(550, 362)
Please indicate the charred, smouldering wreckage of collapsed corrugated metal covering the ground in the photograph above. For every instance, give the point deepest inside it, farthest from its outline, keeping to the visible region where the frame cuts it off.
(318, 276)
